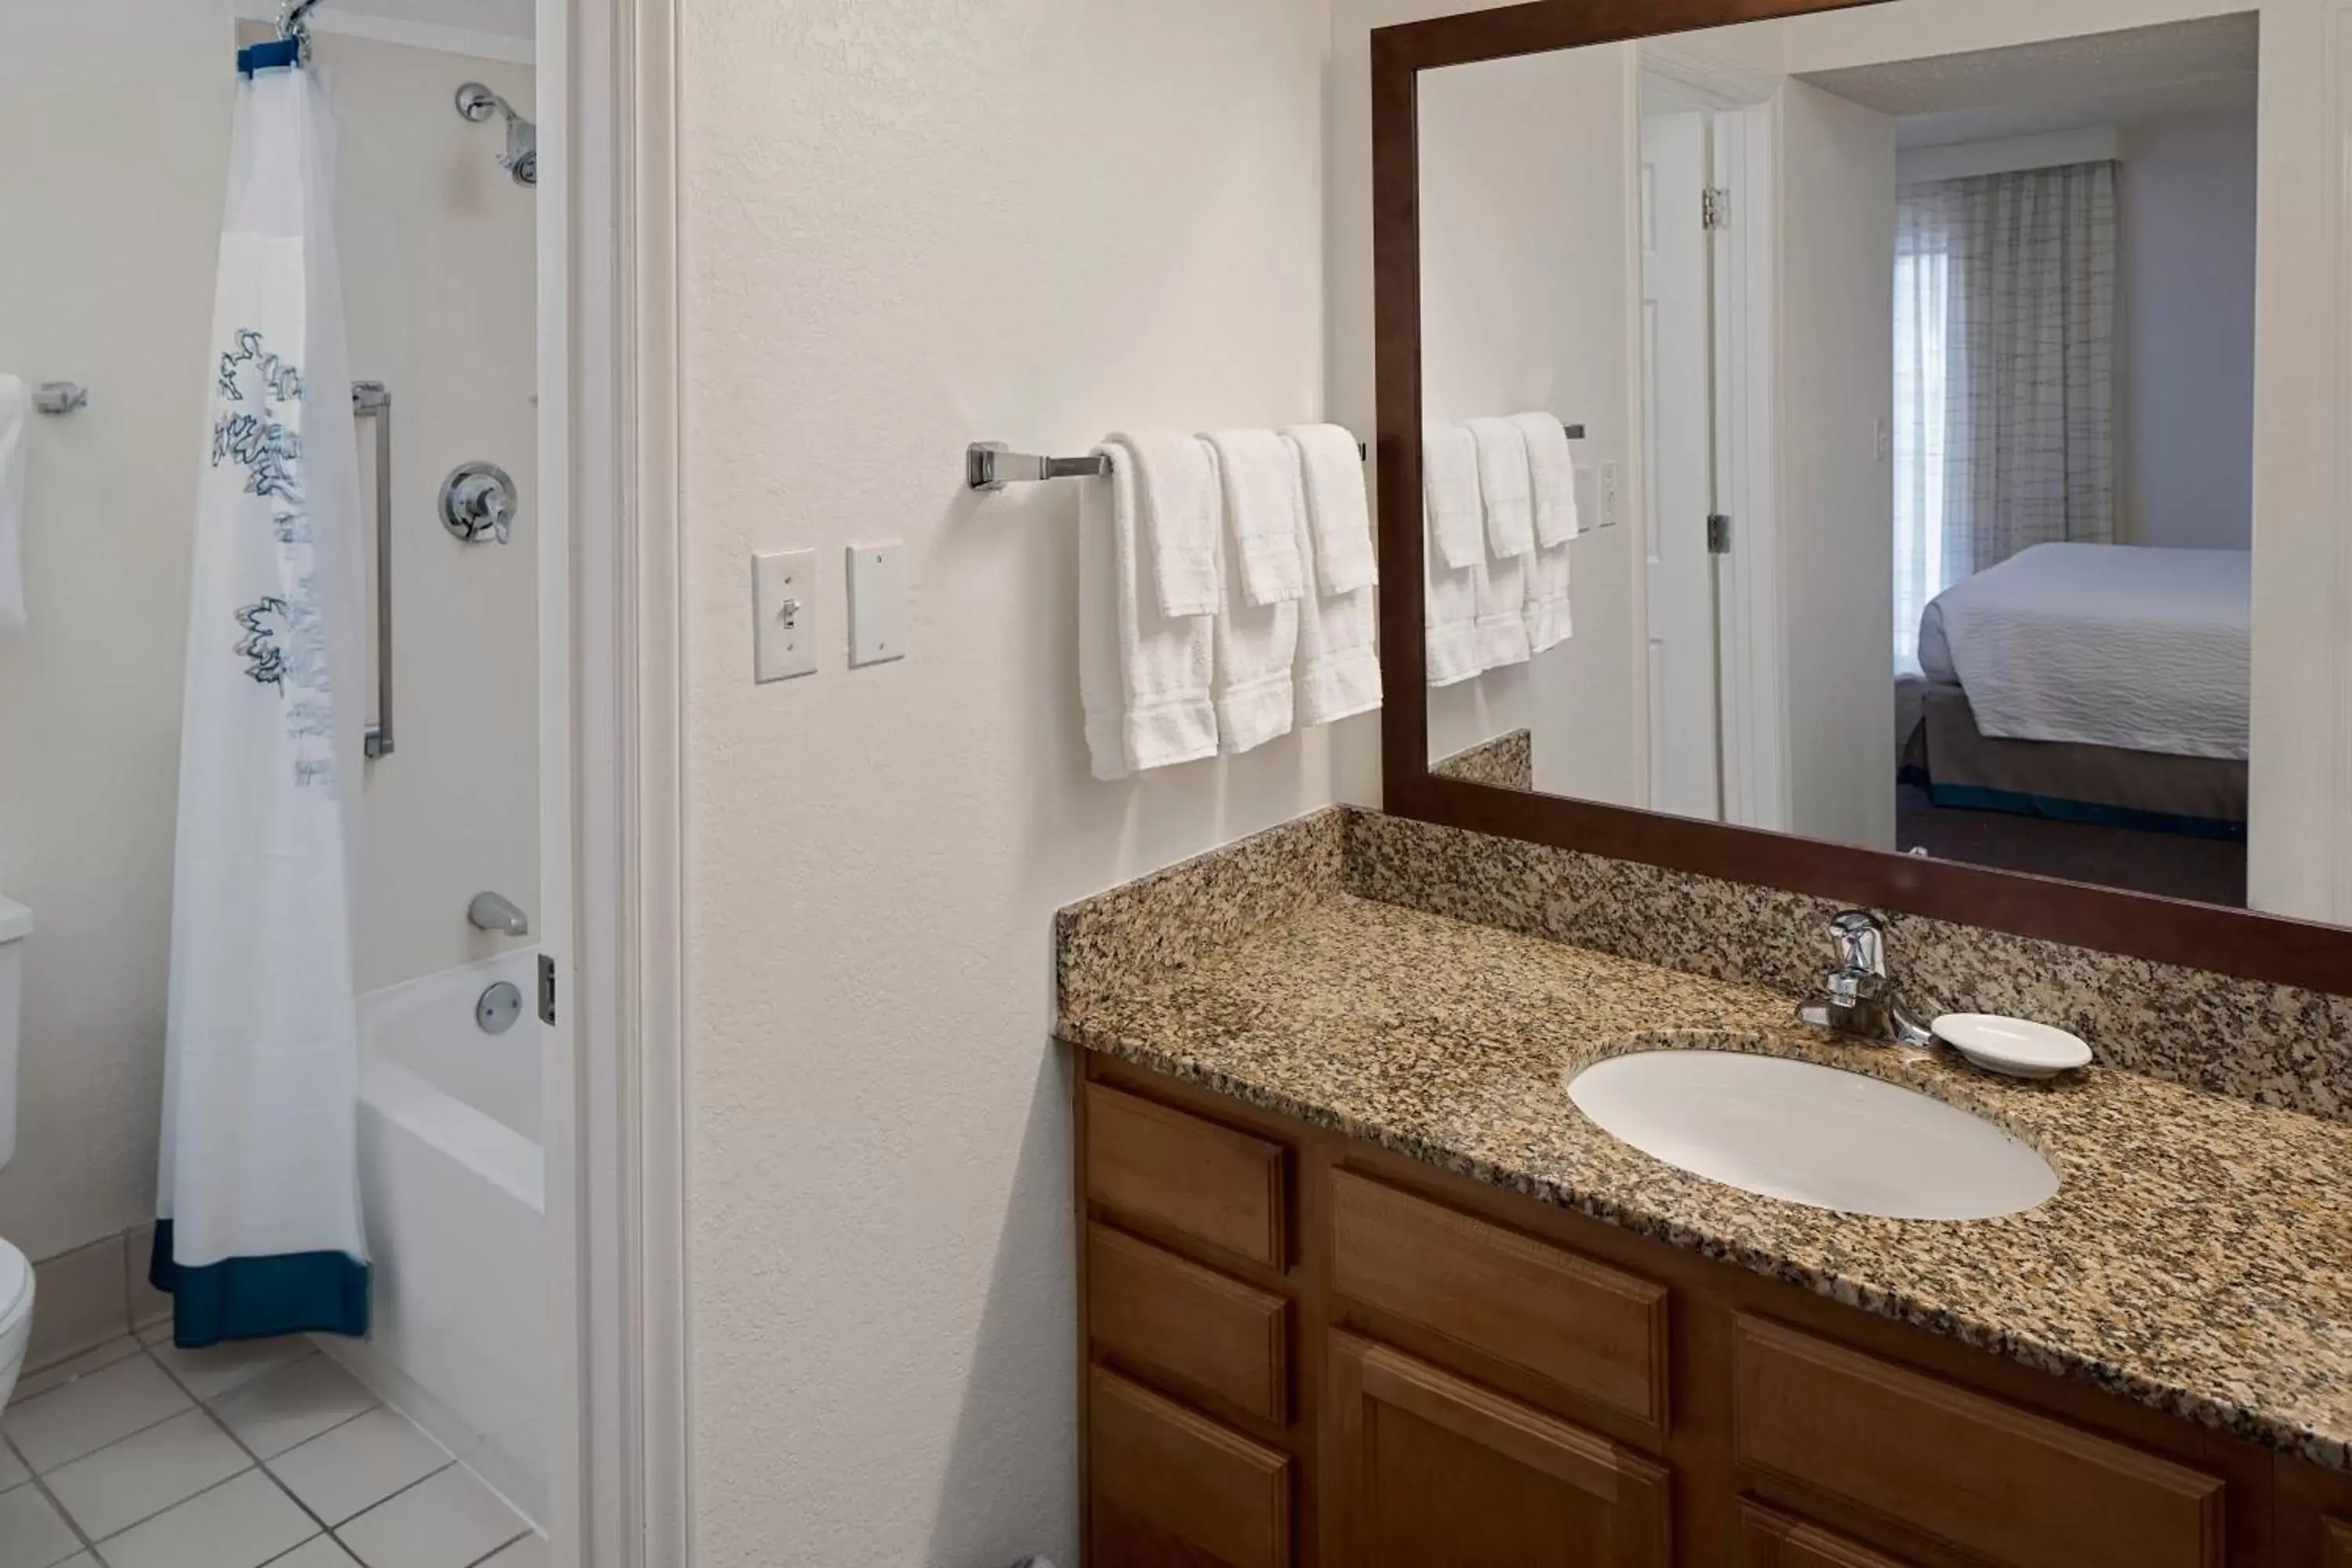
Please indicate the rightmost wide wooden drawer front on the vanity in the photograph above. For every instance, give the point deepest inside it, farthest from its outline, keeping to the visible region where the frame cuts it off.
(1970, 1470)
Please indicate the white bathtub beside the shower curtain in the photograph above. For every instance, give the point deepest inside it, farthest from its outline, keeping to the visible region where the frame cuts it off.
(453, 1184)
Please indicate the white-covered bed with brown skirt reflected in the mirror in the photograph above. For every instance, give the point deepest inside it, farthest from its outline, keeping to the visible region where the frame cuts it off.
(2083, 711)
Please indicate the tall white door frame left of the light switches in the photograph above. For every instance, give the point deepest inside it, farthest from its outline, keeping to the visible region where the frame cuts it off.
(610, 728)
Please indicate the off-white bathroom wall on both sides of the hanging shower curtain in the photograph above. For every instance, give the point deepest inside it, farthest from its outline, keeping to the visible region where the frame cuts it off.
(107, 269)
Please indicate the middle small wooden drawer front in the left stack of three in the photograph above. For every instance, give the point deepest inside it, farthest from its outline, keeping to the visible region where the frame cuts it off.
(1220, 1336)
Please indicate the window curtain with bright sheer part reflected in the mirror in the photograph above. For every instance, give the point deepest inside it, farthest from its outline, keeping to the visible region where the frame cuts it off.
(2005, 375)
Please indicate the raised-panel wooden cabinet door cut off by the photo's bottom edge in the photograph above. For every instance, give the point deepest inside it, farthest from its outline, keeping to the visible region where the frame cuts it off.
(1438, 1473)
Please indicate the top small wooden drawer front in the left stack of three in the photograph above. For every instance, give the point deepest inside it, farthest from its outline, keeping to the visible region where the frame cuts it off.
(1194, 1177)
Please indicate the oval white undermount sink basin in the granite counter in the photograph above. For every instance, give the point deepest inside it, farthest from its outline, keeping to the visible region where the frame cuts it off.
(1810, 1134)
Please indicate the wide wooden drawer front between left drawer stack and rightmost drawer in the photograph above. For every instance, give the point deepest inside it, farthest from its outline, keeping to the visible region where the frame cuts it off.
(1546, 1311)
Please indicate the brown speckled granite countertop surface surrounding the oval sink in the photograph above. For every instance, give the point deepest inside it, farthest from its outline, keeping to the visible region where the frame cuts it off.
(2198, 1254)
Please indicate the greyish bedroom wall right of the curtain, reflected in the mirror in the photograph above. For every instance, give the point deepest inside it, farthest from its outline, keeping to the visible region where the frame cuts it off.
(2189, 253)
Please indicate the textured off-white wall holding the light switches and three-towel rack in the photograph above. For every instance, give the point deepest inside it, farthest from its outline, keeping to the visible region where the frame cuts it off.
(909, 227)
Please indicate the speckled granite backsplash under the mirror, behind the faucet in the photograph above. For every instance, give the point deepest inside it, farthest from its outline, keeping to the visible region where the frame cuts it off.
(2273, 1045)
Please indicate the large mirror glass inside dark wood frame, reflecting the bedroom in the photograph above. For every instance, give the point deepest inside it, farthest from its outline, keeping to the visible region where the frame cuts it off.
(1920, 391)
